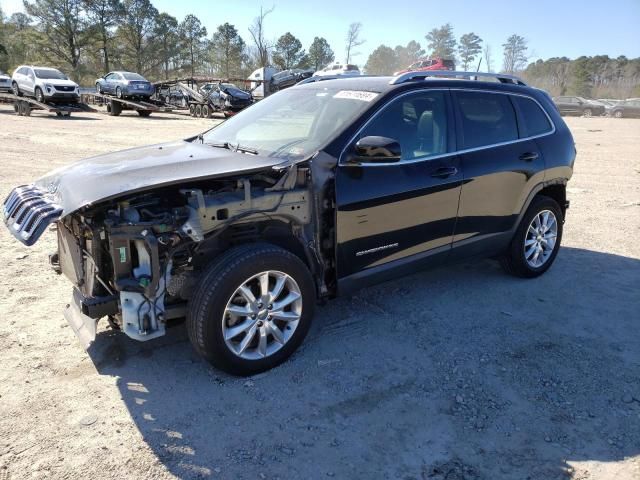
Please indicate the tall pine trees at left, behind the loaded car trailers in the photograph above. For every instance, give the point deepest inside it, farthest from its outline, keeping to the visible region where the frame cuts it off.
(88, 38)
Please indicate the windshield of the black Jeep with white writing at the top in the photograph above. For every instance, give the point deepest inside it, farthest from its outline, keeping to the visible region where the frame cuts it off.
(293, 123)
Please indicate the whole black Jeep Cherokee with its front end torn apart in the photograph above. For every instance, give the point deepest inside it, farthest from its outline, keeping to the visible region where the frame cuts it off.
(311, 193)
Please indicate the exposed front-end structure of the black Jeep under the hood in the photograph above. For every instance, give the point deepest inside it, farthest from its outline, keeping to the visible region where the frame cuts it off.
(136, 260)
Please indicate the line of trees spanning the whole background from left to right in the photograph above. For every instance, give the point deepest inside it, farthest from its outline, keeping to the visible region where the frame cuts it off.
(87, 38)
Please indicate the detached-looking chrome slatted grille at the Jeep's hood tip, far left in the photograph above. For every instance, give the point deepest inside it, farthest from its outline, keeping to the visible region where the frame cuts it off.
(27, 213)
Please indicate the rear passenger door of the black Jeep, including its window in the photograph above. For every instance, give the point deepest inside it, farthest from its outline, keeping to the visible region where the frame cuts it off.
(501, 166)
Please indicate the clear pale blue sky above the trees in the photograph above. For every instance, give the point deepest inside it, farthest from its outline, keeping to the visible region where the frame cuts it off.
(552, 28)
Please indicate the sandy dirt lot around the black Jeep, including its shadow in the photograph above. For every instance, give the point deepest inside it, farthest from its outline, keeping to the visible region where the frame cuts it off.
(456, 373)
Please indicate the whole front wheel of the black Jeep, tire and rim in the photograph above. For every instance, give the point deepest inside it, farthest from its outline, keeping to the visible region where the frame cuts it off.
(252, 308)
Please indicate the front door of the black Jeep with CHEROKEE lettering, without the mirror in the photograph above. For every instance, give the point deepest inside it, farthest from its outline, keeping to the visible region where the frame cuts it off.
(393, 216)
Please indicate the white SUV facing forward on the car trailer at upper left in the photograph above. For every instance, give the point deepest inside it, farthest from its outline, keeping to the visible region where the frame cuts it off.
(44, 83)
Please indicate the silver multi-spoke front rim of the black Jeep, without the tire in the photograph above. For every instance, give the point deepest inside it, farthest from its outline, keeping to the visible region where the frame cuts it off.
(262, 315)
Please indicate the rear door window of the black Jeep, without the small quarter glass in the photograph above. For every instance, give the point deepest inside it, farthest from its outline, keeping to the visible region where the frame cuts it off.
(487, 118)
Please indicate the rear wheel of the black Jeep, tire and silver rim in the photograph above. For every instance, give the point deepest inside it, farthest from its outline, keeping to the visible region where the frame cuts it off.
(535, 245)
